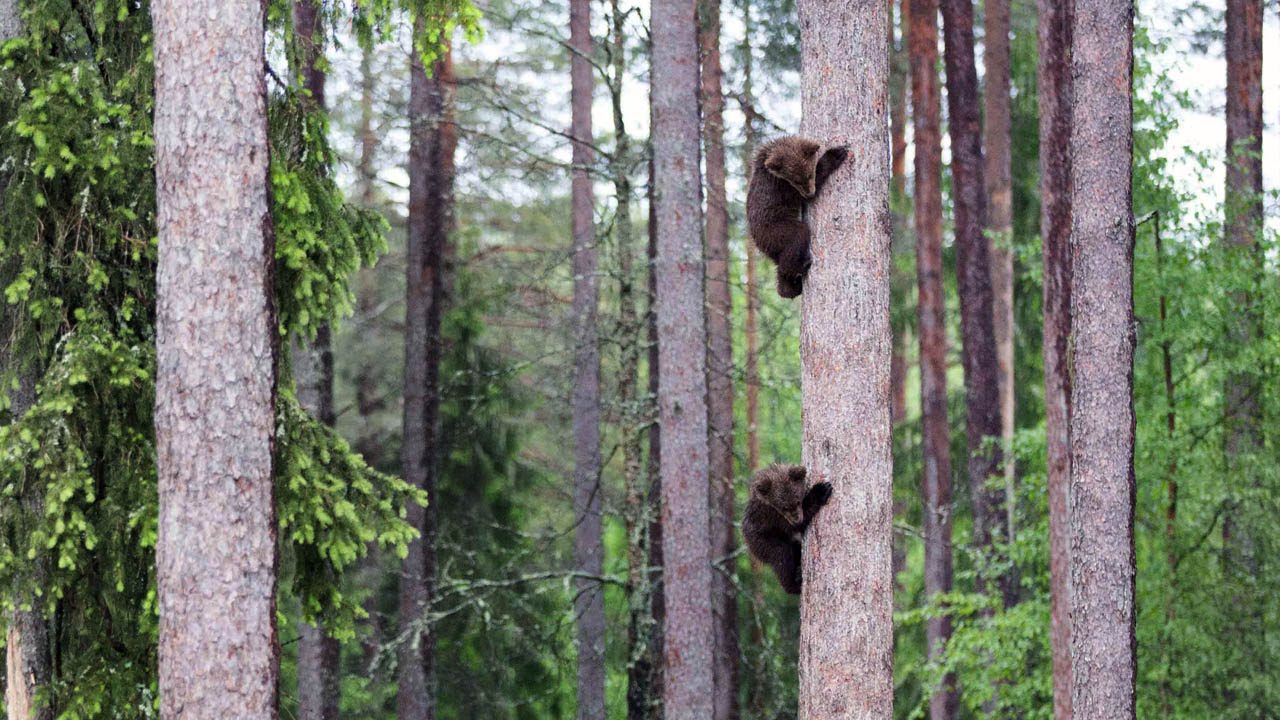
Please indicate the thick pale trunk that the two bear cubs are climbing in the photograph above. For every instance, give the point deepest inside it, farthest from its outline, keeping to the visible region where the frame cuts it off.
(847, 631)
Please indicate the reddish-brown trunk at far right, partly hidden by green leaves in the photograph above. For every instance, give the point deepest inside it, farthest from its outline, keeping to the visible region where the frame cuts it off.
(1244, 204)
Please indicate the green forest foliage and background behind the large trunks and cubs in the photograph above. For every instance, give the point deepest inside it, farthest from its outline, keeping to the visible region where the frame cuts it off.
(492, 127)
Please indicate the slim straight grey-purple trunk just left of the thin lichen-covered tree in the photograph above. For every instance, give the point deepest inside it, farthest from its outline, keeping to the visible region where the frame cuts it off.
(588, 539)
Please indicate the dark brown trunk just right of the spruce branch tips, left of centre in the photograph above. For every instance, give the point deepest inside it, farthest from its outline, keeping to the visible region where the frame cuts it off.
(431, 177)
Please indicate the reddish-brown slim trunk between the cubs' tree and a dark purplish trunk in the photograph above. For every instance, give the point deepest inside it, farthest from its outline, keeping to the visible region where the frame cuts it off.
(931, 313)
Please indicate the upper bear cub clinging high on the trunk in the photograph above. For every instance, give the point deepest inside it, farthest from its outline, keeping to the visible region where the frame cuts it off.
(785, 175)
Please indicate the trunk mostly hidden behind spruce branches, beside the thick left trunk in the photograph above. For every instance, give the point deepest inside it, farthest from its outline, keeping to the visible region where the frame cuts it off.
(319, 686)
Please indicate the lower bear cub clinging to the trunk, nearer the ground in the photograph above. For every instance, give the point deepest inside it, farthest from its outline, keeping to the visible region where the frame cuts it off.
(778, 514)
